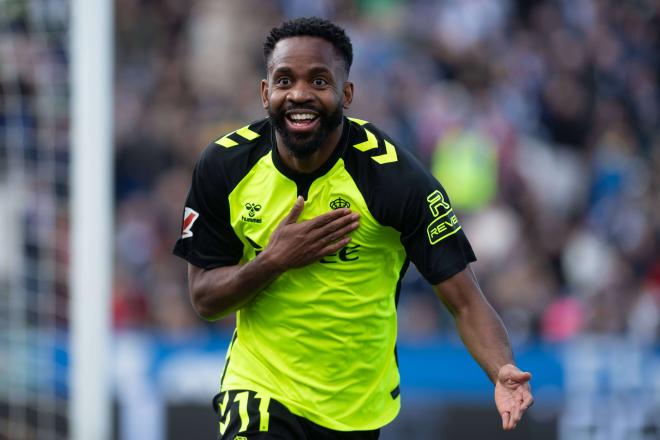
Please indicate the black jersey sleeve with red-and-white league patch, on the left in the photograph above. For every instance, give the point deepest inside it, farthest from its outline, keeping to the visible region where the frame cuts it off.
(207, 238)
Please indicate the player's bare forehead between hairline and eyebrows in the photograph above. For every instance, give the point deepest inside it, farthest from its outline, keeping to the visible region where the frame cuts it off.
(308, 51)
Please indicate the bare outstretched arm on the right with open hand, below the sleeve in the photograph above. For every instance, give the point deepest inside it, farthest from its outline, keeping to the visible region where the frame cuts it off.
(485, 337)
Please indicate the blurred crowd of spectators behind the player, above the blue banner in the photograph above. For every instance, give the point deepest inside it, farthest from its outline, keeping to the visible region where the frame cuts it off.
(541, 119)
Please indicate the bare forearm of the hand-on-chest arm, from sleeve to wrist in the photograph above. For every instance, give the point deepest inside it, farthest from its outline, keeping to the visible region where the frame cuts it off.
(218, 292)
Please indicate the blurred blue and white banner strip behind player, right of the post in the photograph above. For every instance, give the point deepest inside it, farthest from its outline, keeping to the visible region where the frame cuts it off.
(592, 387)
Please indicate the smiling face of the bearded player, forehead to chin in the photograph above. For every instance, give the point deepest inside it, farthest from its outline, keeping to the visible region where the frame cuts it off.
(305, 94)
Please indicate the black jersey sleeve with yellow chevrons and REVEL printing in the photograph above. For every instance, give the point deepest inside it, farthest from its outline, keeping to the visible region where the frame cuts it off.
(402, 194)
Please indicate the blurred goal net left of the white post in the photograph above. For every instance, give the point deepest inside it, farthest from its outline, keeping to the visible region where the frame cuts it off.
(34, 200)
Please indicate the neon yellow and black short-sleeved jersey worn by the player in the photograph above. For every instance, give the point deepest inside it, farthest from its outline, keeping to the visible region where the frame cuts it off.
(321, 339)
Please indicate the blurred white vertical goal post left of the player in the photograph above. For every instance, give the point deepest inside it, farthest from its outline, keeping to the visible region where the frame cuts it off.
(91, 74)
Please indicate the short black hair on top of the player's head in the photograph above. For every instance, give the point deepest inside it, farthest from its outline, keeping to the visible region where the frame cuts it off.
(311, 27)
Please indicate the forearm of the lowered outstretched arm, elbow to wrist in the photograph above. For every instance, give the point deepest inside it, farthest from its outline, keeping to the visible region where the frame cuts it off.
(485, 336)
